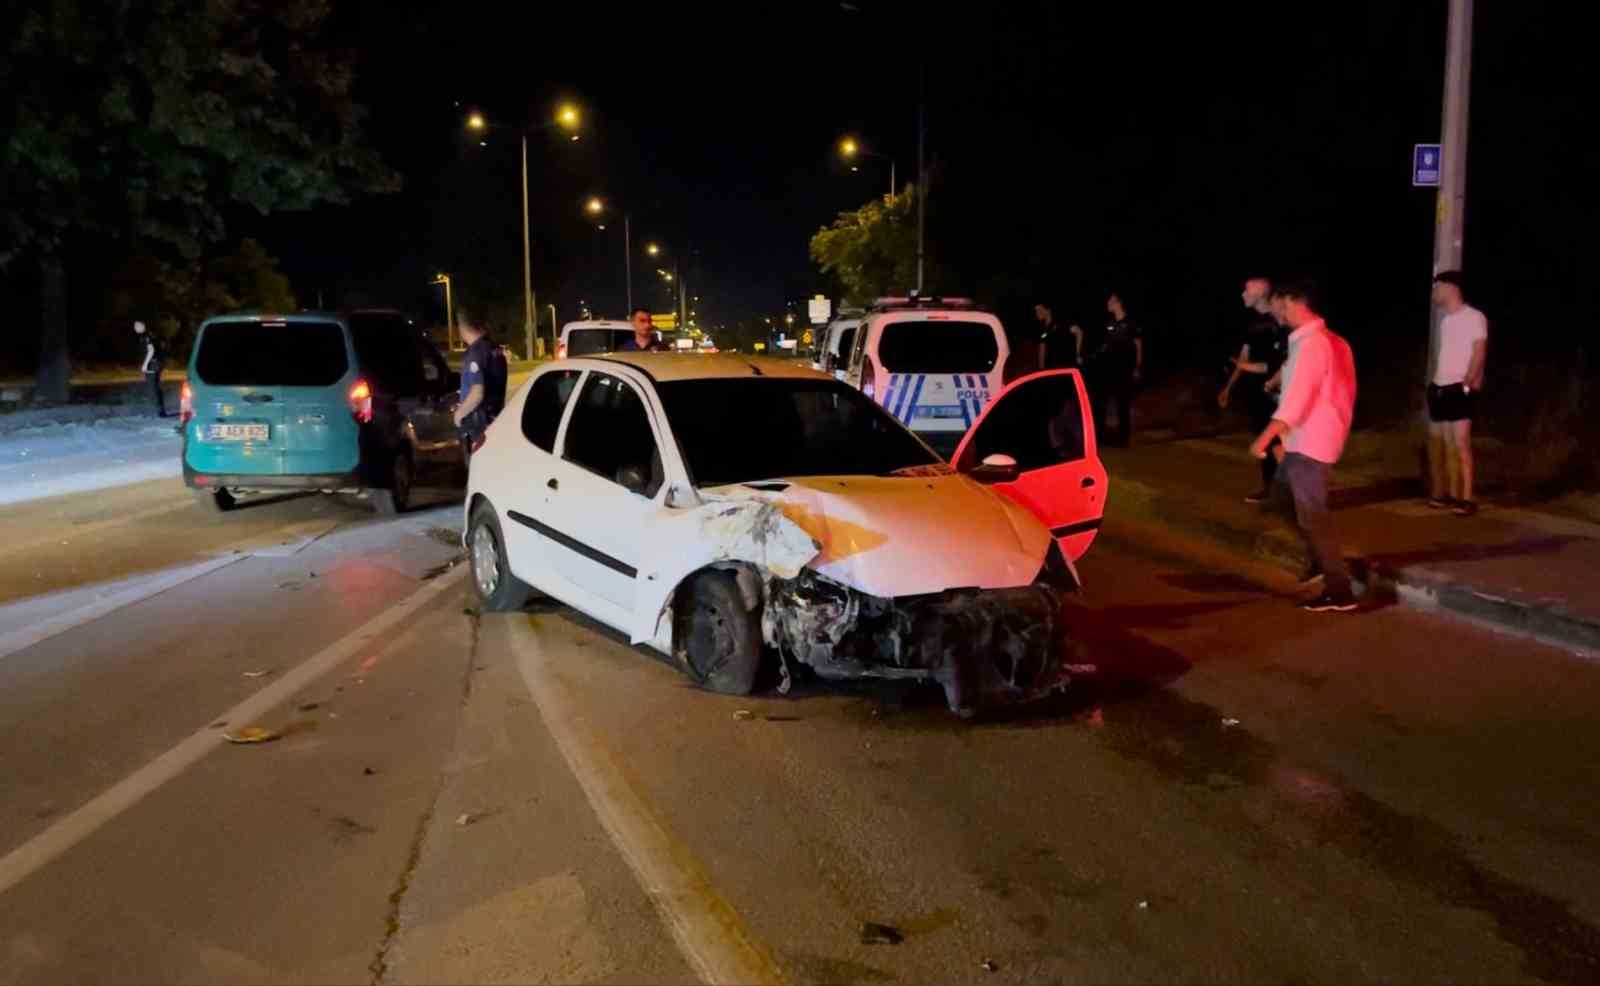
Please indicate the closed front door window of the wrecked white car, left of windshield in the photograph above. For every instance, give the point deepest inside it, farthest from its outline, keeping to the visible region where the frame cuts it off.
(610, 436)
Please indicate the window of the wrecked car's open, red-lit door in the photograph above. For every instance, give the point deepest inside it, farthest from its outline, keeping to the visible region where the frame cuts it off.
(1039, 423)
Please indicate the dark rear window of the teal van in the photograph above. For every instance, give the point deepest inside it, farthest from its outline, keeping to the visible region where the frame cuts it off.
(271, 355)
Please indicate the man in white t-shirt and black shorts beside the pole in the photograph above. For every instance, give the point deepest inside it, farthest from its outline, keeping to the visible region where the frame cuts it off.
(1452, 395)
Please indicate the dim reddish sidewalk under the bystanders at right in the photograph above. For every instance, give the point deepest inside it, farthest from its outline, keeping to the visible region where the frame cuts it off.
(1518, 569)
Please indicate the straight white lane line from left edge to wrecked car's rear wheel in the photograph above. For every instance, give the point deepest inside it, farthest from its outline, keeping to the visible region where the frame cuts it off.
(39, 851)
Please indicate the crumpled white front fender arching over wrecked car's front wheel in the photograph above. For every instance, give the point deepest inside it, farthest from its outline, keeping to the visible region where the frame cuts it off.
(732, 531)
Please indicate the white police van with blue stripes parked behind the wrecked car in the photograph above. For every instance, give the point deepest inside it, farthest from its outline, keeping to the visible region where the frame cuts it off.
(932, 363)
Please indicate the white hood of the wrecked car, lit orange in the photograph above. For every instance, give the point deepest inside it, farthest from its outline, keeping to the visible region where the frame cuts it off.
(908, 537)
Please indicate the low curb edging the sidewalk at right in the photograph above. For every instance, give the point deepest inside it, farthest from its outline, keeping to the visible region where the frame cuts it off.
(1412, 585)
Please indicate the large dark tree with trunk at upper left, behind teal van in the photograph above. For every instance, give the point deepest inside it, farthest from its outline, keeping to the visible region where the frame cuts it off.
(150, 121)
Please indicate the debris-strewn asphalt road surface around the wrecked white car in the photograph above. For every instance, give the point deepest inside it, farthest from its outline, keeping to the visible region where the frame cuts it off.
(1242, 793)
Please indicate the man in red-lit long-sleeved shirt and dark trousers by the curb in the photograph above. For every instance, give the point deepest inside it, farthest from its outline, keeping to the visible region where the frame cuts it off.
(1314, 420)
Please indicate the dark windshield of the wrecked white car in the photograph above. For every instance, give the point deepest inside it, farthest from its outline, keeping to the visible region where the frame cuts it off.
(748, 430)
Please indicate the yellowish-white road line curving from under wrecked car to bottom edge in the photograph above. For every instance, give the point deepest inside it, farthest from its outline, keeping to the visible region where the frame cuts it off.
(706, 929)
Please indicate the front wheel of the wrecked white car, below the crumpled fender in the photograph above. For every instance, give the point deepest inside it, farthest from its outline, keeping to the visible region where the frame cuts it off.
(718, 639)
